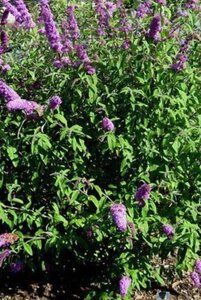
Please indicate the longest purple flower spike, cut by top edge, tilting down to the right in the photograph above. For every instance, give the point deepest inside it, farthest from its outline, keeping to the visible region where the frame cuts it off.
(50, 27)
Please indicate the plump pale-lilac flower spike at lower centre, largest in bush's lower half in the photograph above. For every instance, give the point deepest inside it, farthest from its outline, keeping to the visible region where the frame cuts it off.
(118, 213)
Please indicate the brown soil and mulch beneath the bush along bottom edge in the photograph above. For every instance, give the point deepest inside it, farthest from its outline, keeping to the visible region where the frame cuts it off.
(25, 288)
